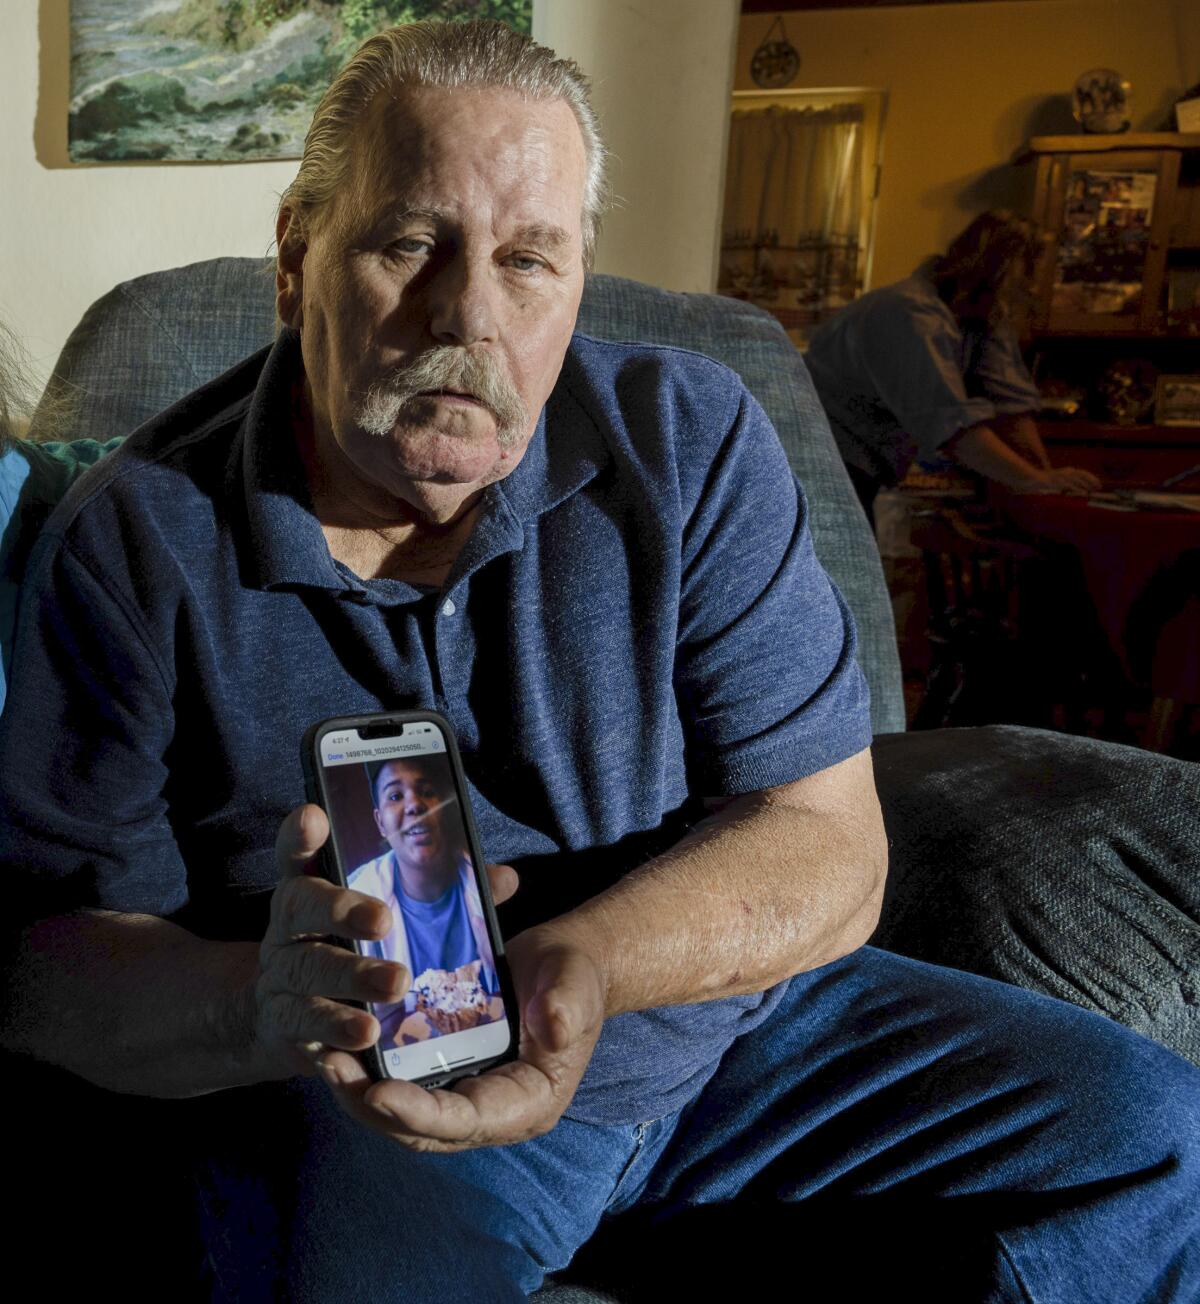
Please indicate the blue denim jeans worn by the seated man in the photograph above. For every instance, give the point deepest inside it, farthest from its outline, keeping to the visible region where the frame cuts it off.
(894, 1125)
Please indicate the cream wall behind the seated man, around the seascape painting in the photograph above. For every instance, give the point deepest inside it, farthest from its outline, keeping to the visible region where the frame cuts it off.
(663, 71)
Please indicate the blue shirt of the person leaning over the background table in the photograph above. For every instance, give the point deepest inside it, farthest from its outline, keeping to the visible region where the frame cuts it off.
(898, 378)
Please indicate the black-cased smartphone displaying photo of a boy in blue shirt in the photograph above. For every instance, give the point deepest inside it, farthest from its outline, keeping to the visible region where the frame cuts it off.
(401, 830)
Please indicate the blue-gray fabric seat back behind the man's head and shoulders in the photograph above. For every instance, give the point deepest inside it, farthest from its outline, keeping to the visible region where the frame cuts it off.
(155, 340)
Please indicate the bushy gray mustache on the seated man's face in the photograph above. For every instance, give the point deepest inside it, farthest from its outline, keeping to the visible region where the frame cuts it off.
(445, 368)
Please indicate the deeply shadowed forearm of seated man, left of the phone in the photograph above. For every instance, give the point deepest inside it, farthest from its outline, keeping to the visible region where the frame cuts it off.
(135, 1005)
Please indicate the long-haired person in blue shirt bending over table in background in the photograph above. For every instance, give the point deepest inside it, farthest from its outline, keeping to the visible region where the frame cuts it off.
(929, 370)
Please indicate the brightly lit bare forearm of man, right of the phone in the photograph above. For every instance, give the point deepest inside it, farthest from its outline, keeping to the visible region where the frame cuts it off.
(773, 886)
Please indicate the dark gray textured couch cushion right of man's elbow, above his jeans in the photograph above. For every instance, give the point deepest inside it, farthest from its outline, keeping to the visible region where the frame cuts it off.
(1058, 864)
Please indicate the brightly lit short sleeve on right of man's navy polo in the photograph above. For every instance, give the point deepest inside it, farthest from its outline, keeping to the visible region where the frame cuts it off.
(766, 677)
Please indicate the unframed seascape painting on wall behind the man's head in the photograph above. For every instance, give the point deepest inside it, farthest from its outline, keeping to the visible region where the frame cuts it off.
(208, 80)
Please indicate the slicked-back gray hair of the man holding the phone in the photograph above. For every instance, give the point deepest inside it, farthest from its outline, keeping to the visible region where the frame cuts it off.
(452, 55)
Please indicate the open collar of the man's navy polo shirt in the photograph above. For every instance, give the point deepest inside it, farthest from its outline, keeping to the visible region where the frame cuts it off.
(289, 547)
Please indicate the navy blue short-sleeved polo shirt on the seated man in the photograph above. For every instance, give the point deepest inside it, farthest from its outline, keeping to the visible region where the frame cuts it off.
(637, 621)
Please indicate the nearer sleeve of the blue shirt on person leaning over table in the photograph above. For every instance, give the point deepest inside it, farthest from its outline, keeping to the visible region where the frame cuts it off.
(914, 357)
